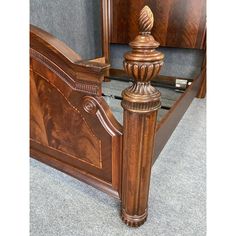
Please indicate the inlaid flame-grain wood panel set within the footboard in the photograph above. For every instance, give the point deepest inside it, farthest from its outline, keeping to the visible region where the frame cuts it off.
(66, 129)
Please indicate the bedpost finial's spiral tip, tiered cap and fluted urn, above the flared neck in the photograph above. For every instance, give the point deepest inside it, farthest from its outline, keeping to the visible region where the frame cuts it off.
(144, 62)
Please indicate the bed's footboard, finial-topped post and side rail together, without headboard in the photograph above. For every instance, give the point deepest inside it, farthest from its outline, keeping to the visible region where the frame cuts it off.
(73, 129)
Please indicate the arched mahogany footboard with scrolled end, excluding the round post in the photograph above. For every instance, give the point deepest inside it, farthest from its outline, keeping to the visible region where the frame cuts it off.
(71, 126)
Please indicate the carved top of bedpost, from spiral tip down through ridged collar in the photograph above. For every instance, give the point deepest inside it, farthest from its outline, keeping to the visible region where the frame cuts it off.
(143, 63)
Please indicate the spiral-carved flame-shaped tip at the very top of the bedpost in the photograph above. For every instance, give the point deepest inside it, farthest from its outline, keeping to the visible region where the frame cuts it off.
(146, 20)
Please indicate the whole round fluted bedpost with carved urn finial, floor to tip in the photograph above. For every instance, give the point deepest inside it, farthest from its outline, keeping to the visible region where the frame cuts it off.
(141, 102)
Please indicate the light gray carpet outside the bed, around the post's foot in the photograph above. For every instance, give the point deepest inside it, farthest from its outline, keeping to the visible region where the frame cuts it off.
(61, 205)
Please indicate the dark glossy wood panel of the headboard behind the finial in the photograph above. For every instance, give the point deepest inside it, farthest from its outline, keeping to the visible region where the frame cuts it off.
(178, 23)
